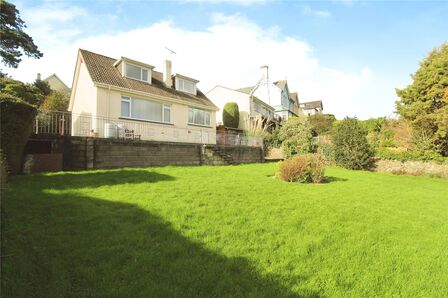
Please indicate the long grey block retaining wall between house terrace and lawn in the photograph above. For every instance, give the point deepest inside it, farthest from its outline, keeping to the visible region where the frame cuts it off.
(79, 153)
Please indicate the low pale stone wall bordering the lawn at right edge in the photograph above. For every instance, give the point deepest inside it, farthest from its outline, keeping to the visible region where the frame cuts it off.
(384, 153)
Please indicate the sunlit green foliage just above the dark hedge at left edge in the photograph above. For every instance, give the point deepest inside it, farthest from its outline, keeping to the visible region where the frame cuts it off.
(28, 93)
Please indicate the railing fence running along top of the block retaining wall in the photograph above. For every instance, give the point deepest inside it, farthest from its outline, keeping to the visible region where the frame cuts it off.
(64, 123)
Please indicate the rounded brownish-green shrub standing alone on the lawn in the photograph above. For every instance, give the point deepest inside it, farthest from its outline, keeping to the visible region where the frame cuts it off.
(302, 168)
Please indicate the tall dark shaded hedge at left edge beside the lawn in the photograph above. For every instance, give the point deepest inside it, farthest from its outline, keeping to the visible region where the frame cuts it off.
(16, 125)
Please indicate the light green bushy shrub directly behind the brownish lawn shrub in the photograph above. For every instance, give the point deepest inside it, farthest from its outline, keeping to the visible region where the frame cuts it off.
(297, 137)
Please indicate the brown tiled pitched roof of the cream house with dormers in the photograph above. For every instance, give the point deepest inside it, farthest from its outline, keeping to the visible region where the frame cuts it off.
(102, 70)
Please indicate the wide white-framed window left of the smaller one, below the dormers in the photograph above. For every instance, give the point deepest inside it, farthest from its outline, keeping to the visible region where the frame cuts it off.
(141, 109)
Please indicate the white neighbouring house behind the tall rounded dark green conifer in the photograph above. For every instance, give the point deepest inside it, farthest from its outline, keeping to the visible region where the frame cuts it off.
(250, 107)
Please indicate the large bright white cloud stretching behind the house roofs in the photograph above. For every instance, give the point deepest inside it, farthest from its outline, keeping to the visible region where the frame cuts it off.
(229, 52)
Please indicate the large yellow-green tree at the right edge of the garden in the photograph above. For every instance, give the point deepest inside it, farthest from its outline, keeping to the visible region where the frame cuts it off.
(425, 101)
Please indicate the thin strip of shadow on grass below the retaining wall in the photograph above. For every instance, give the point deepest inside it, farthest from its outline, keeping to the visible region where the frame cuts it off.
(69, 180)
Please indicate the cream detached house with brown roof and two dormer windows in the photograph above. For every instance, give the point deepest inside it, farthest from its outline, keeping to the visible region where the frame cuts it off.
(126, 98)
